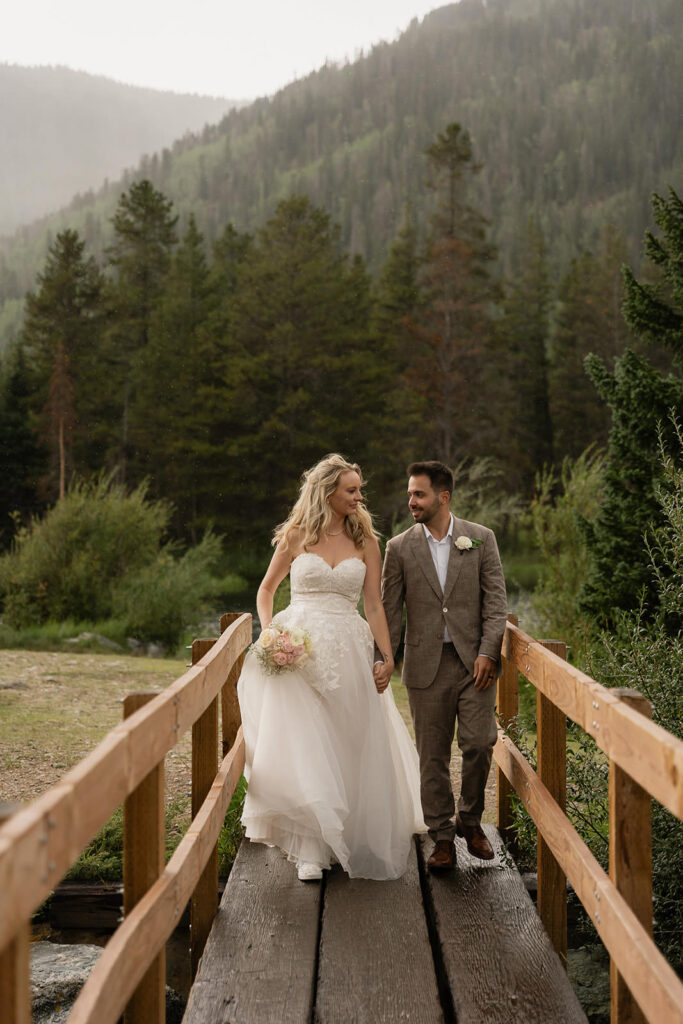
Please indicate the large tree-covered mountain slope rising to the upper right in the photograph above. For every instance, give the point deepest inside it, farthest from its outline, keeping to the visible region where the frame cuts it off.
(574, 109)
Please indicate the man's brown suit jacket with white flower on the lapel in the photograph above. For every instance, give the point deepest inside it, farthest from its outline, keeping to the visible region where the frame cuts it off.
(473, 606)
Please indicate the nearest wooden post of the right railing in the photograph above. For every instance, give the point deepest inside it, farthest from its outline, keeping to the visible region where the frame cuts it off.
(630, 860)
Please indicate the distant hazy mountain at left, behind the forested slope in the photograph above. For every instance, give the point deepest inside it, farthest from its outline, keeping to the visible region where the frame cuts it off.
(66, 132)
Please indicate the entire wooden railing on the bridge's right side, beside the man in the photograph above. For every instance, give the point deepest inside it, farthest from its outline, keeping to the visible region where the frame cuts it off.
(646, 761)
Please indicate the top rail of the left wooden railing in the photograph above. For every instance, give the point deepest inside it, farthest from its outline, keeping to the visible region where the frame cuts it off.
(40, 843)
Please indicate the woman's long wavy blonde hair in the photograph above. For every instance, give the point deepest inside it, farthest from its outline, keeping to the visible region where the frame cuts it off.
(312, 515)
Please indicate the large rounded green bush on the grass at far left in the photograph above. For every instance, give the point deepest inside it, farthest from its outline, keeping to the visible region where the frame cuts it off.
(99, 554)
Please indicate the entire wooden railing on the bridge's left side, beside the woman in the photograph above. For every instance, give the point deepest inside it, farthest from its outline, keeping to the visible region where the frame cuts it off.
(40, 843)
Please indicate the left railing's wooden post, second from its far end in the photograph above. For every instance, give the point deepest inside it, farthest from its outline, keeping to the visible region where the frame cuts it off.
(205, 766)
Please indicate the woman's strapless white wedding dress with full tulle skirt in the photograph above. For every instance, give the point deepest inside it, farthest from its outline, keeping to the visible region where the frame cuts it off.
(332, 771)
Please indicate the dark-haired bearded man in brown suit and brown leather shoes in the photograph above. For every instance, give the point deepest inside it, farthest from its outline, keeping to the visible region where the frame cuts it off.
(449, 575)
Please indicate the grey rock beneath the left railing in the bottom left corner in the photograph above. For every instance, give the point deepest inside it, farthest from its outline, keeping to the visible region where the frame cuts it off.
(58, 975)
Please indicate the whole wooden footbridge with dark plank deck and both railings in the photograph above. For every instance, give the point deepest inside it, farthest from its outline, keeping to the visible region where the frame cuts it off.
(468, 948)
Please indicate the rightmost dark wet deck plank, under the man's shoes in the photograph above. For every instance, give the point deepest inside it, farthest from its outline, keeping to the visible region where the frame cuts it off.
(499, 961)
